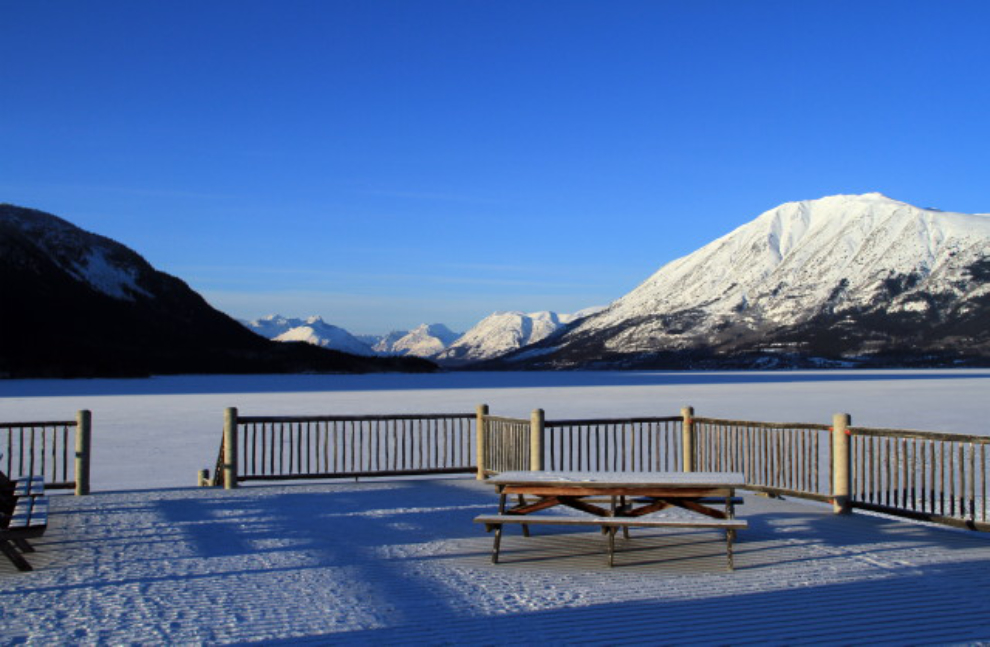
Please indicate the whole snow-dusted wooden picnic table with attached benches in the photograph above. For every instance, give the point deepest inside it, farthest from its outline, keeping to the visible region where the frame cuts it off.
(629, 498)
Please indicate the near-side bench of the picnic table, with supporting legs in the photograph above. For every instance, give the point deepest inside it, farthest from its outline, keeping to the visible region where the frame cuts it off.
(609, 525)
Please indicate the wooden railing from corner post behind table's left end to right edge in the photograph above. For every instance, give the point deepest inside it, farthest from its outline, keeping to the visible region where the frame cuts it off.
(920, 475)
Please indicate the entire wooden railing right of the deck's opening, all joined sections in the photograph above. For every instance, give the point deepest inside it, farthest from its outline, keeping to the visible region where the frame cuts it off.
(921, 475)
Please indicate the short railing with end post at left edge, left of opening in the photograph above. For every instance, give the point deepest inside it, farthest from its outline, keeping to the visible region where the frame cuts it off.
(59, 451)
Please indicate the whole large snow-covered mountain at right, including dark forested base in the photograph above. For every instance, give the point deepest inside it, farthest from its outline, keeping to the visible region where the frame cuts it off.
(845, 278)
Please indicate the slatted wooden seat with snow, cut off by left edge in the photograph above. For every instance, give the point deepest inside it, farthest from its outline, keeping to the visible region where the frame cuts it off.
(23, 516)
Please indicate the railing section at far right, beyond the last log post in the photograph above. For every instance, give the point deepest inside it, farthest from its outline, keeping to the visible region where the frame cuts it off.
(922, 475)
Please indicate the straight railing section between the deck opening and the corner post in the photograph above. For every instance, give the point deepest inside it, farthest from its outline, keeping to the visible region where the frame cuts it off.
(310, 447)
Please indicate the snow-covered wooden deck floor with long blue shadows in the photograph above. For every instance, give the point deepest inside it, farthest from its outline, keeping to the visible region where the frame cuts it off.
(402, 562)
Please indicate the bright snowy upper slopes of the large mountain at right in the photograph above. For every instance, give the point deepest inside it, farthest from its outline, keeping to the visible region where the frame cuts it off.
(800, 263)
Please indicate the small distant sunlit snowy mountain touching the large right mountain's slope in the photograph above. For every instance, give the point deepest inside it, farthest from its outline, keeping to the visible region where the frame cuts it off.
(501, 333)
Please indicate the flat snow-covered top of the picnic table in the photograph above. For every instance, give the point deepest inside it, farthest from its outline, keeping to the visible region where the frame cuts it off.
(621, 479)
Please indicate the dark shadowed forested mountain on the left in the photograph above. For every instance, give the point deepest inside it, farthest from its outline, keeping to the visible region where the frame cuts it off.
(73, 303)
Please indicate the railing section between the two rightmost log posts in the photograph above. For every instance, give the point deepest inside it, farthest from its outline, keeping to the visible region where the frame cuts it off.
(792, 459)
